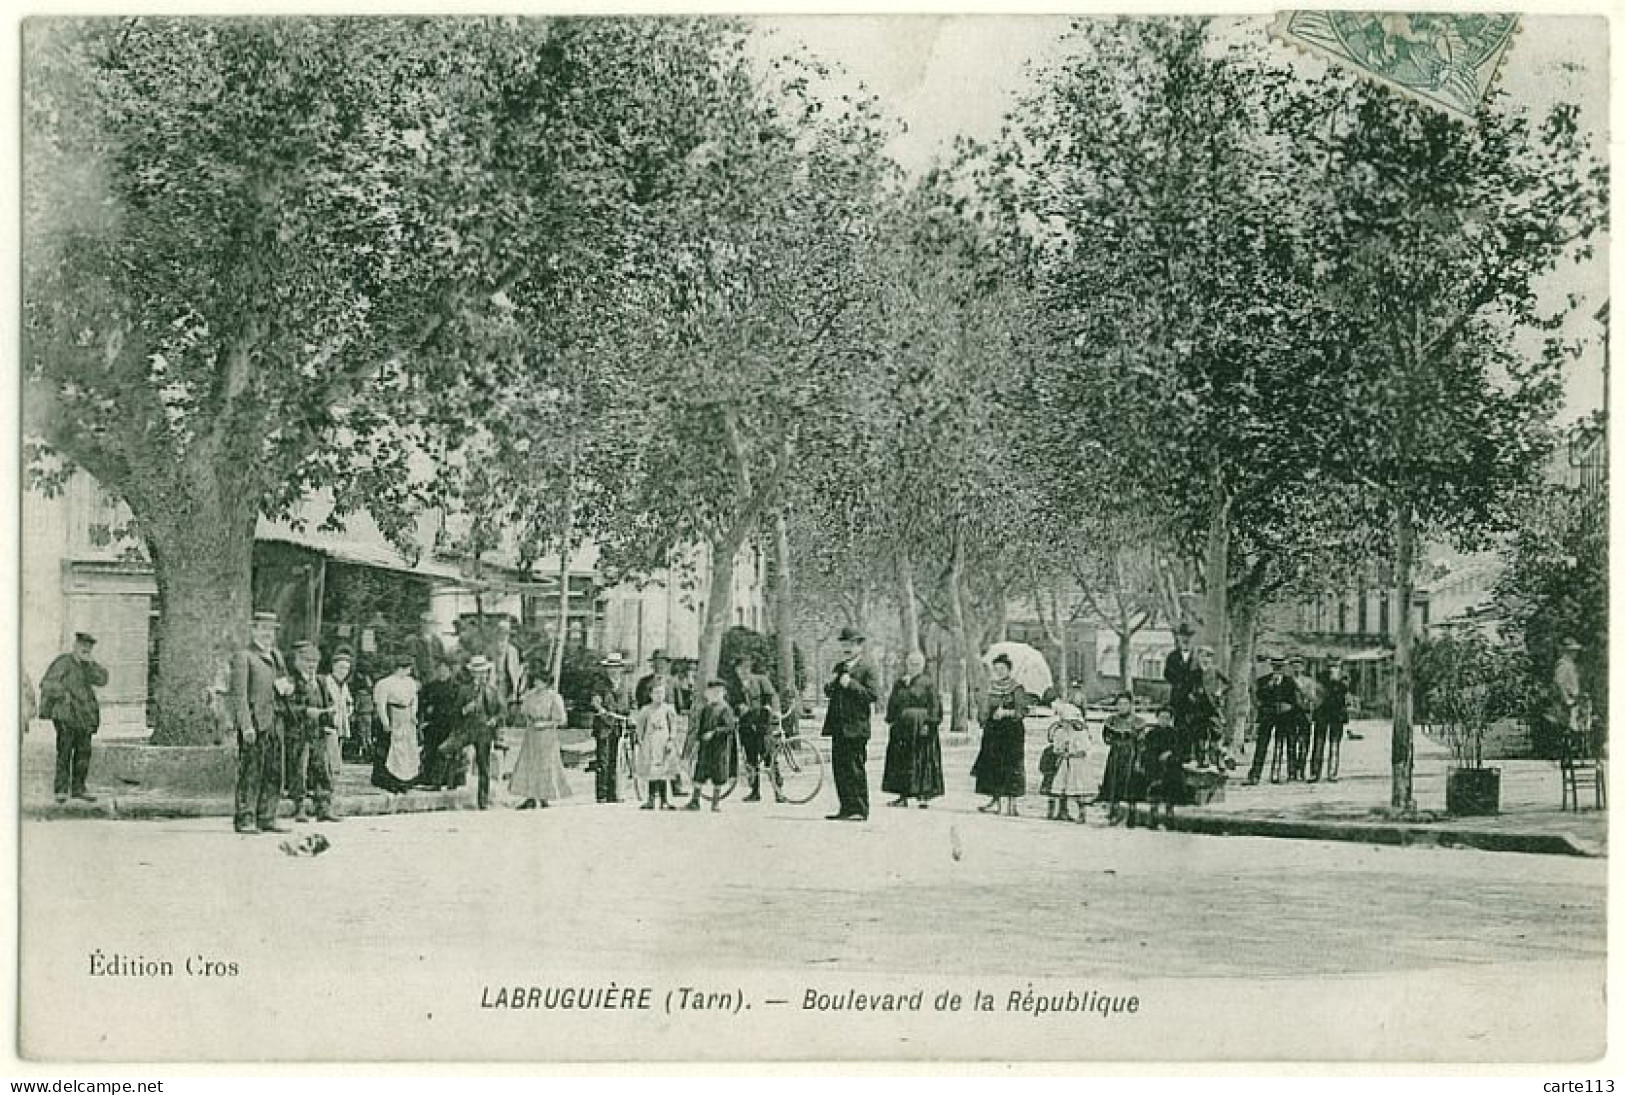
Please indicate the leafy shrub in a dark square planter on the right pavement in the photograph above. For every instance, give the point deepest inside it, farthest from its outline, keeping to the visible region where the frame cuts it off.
(1460, 683)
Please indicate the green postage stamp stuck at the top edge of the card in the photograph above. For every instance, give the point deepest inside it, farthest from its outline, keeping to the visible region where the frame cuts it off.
(1444, 59)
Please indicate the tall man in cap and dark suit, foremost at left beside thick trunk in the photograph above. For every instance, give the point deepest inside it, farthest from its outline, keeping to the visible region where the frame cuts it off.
(259, 695)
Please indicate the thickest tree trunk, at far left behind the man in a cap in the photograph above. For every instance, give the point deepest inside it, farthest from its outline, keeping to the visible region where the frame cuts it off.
(204, 566)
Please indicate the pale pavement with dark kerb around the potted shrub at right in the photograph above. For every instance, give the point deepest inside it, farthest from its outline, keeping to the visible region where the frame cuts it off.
(1356, 807)
